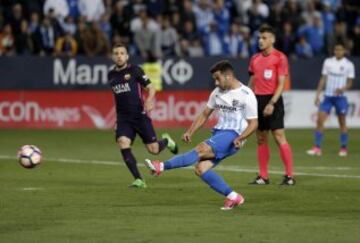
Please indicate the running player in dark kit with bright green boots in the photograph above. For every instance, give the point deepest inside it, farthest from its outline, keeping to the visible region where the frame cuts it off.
(128, 82)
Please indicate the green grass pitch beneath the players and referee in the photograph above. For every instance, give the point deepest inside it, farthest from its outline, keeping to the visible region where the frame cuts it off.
(80, 193)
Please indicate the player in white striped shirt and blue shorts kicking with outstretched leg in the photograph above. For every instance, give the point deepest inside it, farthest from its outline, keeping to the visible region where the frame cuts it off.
(237, 107)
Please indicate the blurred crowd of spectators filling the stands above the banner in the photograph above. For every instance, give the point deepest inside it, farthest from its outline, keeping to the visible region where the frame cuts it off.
(184, 28)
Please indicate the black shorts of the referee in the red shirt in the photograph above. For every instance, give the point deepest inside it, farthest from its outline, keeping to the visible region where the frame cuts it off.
(276, 120)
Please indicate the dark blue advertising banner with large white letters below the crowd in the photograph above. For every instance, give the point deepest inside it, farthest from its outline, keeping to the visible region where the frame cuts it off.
(84, 73)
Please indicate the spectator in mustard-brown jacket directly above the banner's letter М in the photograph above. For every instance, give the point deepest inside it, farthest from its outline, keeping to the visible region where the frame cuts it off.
(66, 46)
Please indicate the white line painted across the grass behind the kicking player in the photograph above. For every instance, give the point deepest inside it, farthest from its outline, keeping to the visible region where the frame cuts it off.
(220, 167)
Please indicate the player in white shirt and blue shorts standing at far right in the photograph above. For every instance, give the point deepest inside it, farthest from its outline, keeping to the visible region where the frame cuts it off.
(338, 73)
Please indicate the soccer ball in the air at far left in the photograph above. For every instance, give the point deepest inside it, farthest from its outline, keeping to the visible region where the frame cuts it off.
(29, 156)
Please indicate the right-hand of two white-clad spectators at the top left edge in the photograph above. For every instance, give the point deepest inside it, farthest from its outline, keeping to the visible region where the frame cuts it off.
(92, 10)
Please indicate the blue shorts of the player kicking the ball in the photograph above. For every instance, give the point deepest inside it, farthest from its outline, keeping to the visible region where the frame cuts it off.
(222, 144)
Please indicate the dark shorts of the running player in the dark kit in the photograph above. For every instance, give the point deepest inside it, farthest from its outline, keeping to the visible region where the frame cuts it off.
(141, 125)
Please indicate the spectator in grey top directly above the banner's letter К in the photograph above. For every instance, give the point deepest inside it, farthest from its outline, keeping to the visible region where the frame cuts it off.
(169, 39)
